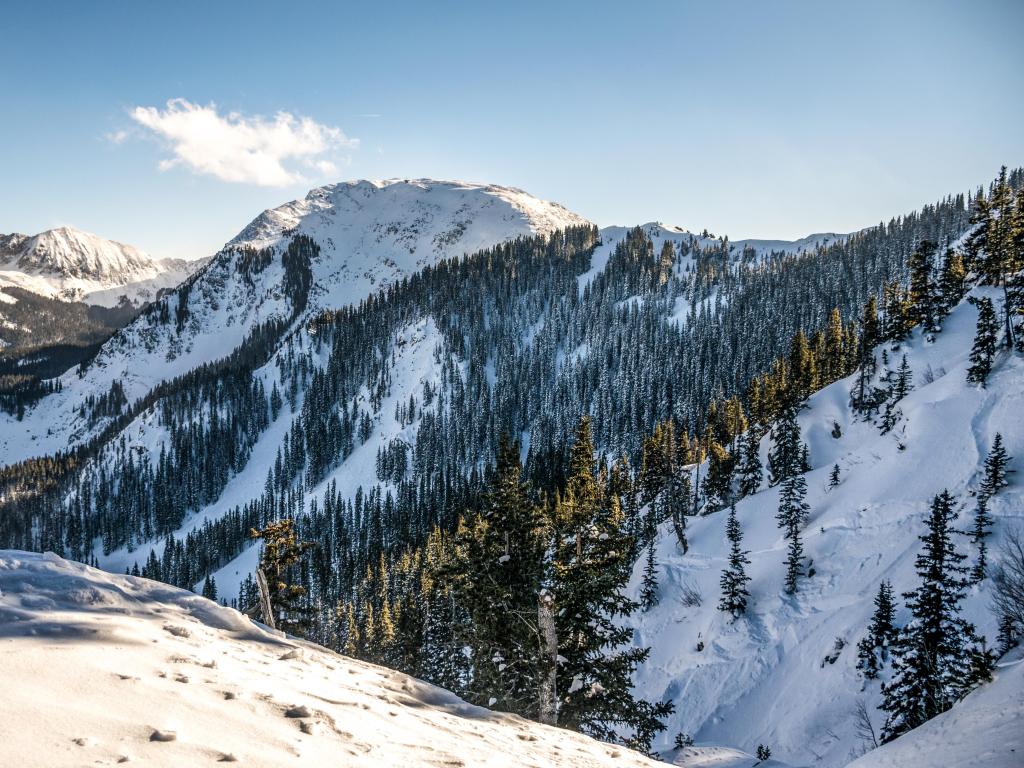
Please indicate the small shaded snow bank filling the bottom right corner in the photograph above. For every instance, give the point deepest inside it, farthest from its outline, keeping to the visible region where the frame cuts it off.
(986, 731)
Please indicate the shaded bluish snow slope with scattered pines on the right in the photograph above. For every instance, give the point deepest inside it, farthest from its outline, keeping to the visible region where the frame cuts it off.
(765, 678)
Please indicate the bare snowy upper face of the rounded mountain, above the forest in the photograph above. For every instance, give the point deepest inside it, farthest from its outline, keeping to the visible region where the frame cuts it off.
(369, 235)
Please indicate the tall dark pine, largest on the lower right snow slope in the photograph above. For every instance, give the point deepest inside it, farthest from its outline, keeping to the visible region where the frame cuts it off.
(933, 666)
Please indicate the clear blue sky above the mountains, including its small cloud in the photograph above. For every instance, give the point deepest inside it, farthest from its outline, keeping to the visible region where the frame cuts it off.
(753, 119)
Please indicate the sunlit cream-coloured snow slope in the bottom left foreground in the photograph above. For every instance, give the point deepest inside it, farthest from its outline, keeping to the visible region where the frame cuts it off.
(102, 669)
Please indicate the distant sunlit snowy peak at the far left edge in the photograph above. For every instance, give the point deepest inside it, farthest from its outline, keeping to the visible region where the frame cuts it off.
(73, 266)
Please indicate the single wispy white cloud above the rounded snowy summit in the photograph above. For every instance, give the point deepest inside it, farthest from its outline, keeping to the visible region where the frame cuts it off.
(240, 149)
